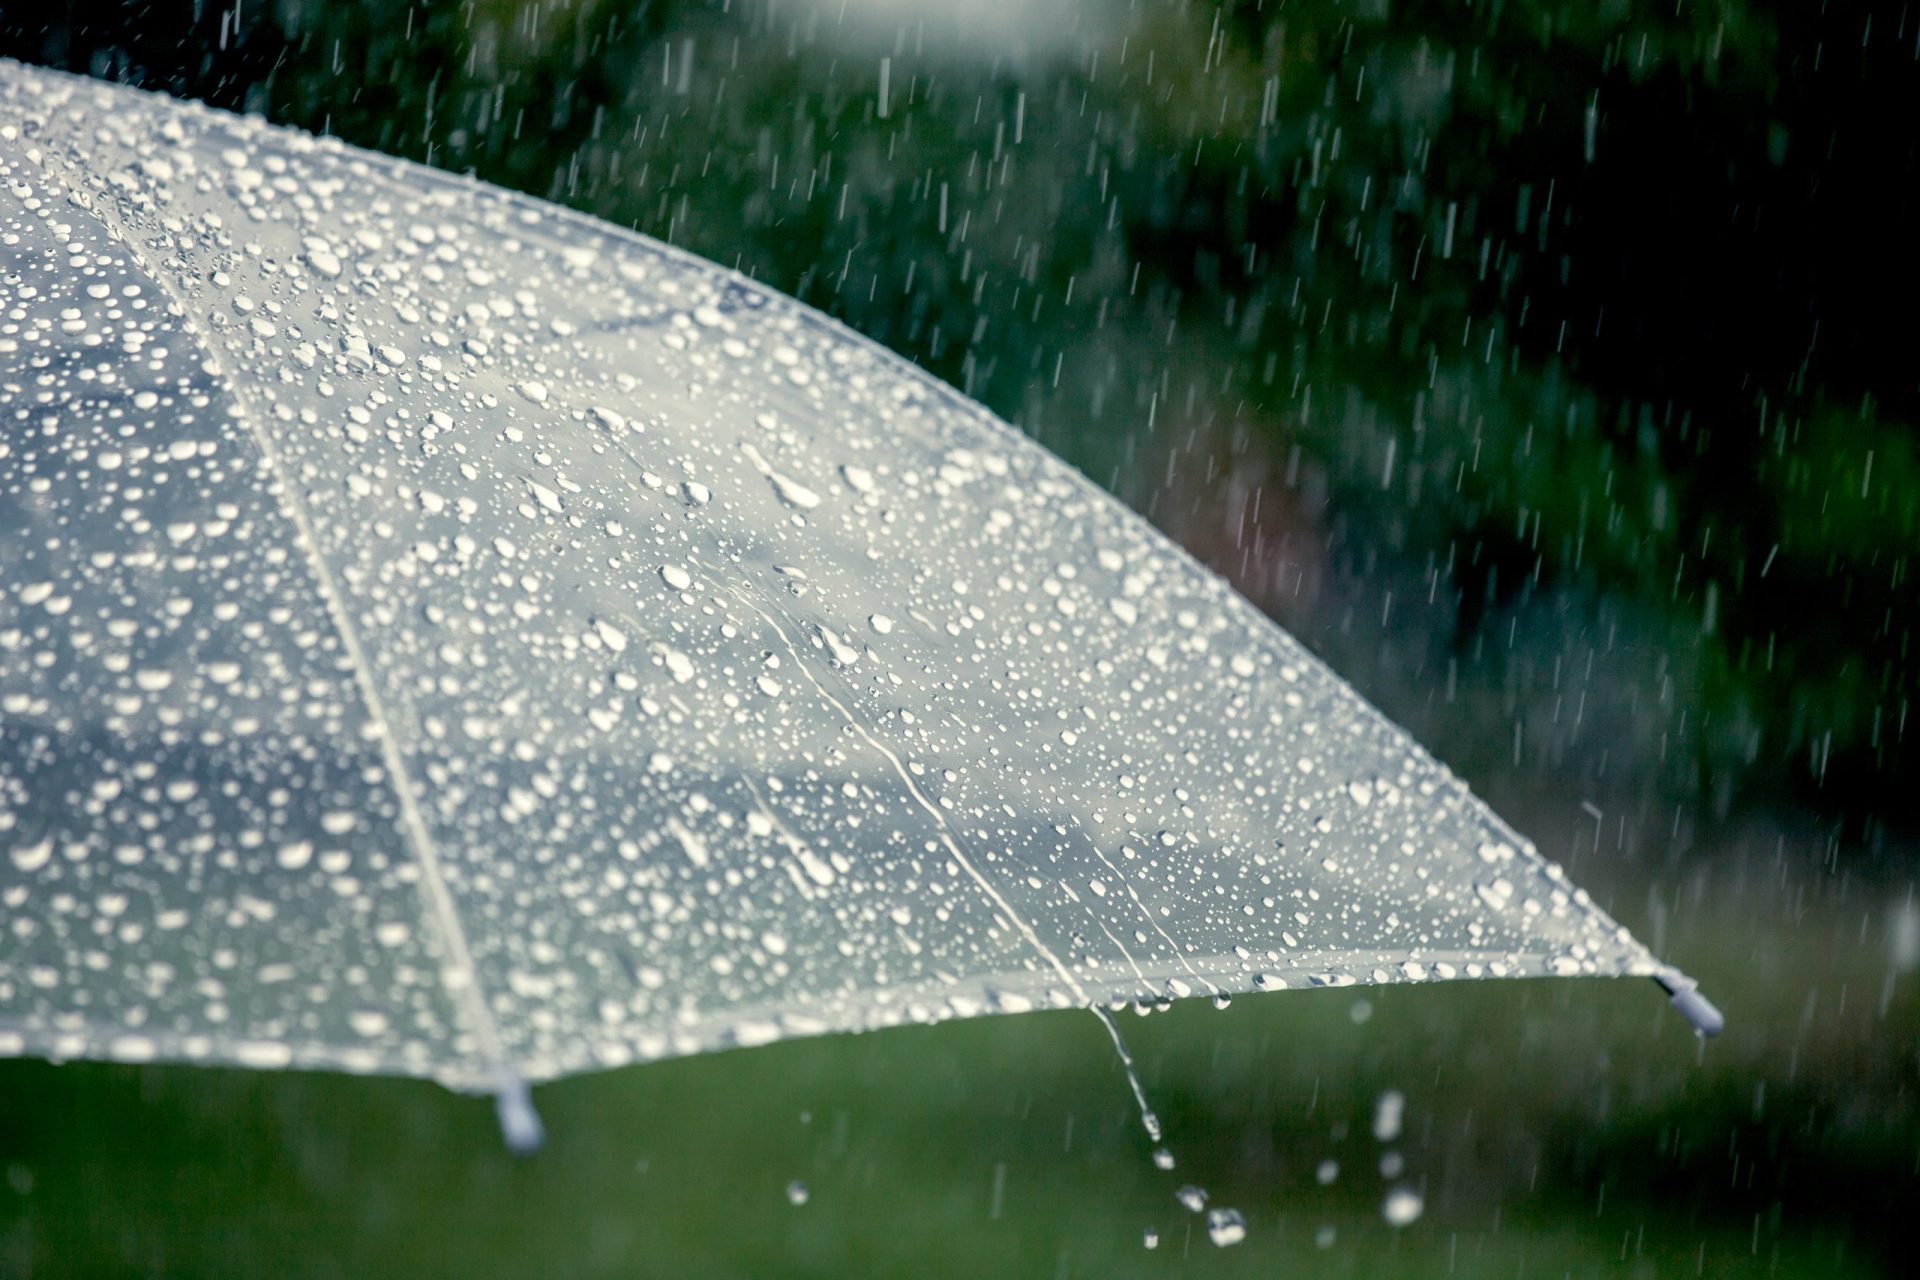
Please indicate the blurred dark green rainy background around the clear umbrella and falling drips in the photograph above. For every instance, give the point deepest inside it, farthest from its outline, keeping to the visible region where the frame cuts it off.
(1550, 369)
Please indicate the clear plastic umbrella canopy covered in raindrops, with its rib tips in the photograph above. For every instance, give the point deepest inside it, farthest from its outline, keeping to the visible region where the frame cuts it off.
(450, 636)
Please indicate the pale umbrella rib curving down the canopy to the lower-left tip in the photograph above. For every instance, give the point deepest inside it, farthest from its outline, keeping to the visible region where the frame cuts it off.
(519, 1122)
